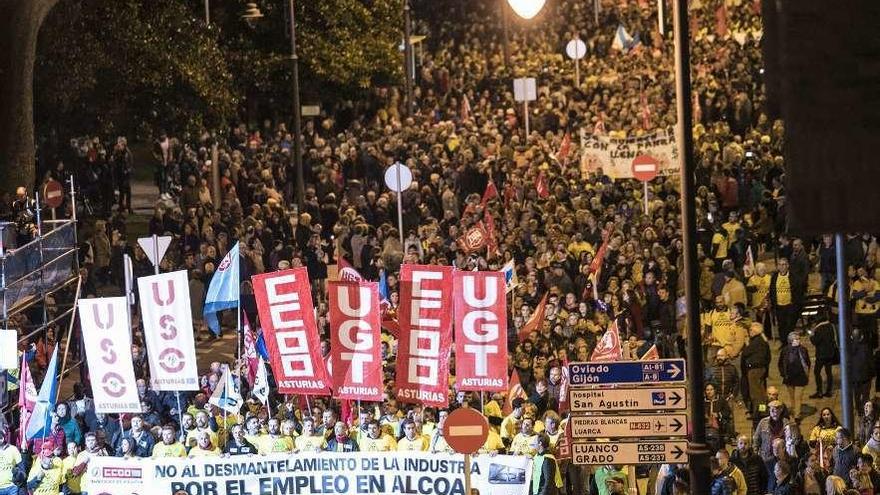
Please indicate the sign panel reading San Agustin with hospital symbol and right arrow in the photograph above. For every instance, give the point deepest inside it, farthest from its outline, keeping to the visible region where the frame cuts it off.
(627, 399)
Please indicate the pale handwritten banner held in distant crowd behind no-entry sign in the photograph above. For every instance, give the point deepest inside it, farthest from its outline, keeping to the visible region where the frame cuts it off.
(614, 156)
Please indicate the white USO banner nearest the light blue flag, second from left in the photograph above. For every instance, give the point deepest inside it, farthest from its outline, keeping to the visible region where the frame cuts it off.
(167, 318)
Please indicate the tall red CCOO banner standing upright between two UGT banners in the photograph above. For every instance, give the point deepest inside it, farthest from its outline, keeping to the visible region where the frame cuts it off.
(425, 314)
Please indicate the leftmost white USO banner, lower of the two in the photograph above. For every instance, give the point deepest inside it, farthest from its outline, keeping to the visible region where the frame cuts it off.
(107, 340)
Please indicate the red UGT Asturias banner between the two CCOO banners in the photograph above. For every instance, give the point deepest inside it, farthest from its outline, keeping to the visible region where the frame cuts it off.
(355, 334)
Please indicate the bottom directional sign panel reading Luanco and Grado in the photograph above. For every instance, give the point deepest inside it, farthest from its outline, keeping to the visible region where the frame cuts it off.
(651, 452)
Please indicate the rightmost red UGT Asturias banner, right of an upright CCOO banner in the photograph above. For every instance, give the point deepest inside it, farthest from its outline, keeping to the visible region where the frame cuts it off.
(480, 331)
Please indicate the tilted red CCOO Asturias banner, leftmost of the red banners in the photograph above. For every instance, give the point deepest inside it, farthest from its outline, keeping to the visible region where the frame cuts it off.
(284, 301)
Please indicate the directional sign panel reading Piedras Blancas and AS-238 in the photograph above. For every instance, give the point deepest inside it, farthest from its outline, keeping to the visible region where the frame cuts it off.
(629, 426)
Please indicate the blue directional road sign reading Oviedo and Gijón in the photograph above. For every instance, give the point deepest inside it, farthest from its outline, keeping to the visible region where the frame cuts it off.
(627, 372)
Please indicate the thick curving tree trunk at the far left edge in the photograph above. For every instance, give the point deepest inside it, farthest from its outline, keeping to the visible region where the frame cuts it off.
(20, 22)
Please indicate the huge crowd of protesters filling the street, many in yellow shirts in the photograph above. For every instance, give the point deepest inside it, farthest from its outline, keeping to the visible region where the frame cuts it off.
(466, 133)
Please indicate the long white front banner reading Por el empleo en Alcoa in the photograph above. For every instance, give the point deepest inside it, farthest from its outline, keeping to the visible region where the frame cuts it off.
(322, 473)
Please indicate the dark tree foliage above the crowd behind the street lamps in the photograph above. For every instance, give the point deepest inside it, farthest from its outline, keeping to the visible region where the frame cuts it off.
(136, 65)
